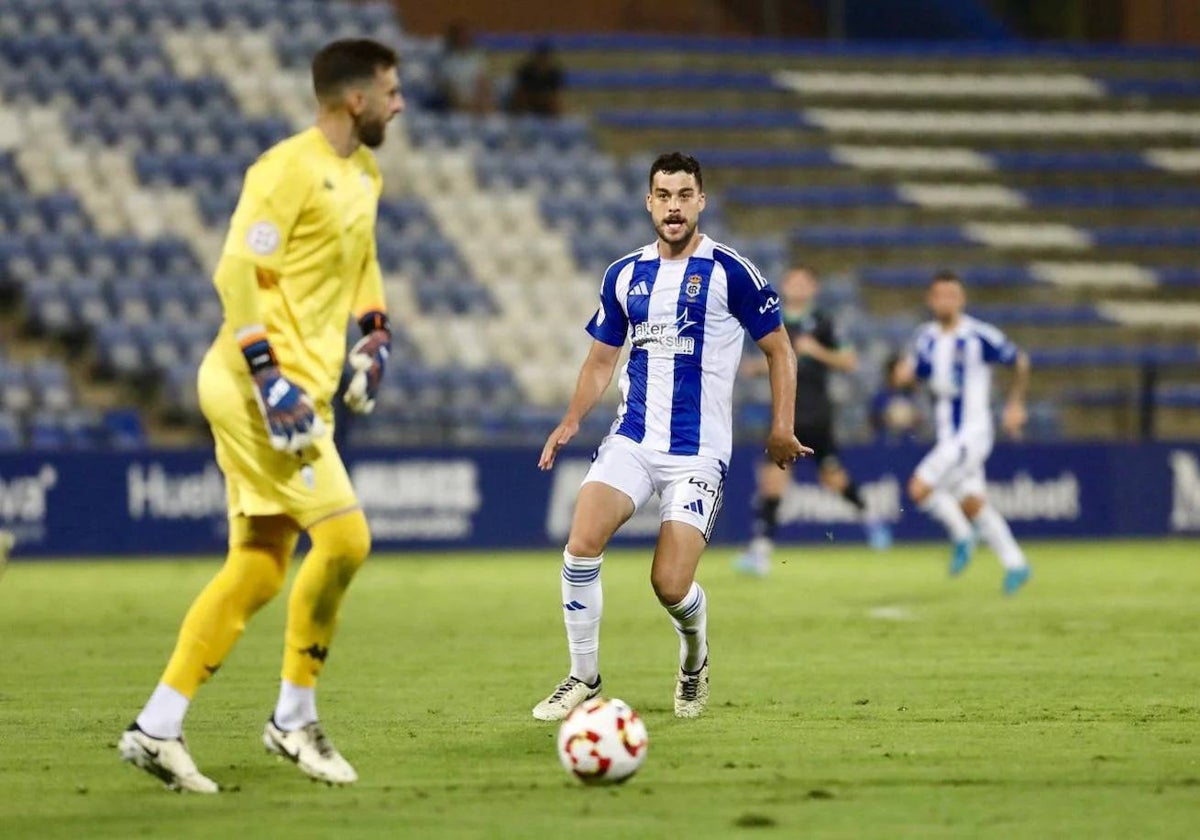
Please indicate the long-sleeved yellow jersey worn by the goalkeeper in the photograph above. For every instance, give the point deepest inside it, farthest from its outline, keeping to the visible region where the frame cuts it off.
(307, 223)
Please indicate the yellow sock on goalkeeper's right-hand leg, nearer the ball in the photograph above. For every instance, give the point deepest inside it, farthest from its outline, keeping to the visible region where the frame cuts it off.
(340, 545)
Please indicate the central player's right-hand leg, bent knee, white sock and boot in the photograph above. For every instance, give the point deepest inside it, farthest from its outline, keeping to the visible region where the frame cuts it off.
(674, 578)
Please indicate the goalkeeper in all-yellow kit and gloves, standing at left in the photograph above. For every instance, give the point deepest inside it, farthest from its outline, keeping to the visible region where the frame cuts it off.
(298, 262)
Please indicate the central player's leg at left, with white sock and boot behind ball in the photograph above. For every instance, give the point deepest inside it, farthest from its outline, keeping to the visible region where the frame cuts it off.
(599, 512)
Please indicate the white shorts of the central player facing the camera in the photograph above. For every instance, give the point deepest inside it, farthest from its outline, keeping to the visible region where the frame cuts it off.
(691, 488)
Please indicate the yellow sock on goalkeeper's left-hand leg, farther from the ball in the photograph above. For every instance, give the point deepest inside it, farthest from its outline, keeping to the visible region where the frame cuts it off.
(254, 573)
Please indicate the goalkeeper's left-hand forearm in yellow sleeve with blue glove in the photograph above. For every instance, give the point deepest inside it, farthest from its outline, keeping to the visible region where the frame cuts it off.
(287, 411)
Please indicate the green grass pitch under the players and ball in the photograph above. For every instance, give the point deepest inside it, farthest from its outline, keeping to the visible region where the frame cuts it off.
(854, 697)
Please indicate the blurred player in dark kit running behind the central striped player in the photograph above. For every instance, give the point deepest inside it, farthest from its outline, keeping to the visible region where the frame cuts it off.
(819, 351)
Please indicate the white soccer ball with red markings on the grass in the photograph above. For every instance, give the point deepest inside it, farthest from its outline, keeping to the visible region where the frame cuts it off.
(603, 742)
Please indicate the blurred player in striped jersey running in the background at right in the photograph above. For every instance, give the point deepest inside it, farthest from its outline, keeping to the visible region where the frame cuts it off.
(953, 356)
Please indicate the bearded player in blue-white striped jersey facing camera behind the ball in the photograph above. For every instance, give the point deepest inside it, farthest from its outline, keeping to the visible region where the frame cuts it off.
(683, 303)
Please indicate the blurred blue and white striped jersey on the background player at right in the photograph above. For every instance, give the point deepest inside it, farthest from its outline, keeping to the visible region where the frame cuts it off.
(957, 365)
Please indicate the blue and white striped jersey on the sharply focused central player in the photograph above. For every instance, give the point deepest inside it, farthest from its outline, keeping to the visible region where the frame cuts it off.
(685, 320)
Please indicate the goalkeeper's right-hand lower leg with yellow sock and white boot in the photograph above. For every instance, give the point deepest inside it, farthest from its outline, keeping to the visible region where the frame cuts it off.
(340, 545)
